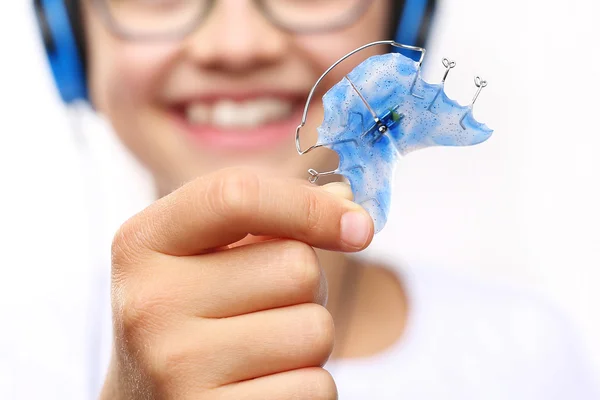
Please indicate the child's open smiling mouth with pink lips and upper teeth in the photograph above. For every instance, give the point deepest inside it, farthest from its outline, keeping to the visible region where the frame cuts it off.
(252, 123)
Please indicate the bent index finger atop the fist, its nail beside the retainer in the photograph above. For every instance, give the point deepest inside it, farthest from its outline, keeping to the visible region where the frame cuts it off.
(224, 207)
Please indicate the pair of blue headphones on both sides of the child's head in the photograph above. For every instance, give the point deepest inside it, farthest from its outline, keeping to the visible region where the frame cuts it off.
(60, 26)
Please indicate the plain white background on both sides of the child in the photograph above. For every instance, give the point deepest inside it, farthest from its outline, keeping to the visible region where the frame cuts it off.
(521, 208)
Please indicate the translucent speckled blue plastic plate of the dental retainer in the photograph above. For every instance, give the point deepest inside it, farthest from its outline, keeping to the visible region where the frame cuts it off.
(417, 114)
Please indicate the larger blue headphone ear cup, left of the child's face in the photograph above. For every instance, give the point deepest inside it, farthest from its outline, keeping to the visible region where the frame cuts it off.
(62, 50)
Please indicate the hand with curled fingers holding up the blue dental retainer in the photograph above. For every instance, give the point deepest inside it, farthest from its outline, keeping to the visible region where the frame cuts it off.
(198, 317)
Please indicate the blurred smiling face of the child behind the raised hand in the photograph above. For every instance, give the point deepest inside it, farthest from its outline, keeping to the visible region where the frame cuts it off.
(230, 93)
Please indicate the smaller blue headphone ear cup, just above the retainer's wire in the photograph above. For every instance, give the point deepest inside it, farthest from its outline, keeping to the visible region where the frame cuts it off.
(413, 25)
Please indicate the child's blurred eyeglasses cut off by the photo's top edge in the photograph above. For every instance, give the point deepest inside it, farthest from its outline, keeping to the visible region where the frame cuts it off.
(173, 19)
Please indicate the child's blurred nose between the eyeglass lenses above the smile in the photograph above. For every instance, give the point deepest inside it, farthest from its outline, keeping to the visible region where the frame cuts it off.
(236, 36)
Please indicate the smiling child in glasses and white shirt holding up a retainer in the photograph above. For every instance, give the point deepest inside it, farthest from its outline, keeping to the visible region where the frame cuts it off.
(229, 286)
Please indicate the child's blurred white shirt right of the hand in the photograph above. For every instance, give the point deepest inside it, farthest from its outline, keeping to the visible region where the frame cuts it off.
(470, 340)
